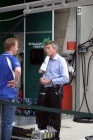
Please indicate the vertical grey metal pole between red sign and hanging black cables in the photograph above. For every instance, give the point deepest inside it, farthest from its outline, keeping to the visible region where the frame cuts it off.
(78, 38)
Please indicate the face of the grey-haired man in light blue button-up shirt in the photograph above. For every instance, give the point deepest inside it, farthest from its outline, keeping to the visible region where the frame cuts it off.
(50, 51)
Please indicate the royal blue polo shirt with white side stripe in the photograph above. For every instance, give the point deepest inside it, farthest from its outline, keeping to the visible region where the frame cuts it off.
(8, 63)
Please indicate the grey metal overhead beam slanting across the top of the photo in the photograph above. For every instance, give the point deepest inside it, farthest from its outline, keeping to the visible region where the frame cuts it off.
(45, 5)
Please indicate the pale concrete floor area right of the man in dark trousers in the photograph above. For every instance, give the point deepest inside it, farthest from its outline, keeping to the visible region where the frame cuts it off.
(71, 130)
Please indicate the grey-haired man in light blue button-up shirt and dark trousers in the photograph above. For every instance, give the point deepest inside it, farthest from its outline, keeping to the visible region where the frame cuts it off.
(55, 76)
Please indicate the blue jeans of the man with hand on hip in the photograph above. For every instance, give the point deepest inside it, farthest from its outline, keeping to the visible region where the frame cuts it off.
(7, 118)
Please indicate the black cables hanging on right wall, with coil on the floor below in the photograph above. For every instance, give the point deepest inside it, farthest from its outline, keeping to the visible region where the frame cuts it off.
(89, 44)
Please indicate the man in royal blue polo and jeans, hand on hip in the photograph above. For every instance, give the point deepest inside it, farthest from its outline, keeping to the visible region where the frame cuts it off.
(10, 72)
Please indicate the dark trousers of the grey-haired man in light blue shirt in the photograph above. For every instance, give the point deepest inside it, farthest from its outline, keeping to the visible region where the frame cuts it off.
(50, 97)
